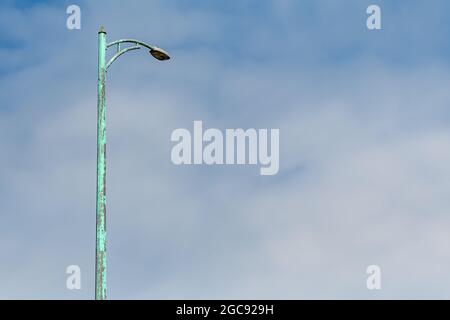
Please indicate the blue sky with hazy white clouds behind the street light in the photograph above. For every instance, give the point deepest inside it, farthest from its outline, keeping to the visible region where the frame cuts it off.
(364, 150)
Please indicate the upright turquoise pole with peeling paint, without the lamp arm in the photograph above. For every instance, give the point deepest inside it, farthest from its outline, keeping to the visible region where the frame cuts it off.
(100, 248)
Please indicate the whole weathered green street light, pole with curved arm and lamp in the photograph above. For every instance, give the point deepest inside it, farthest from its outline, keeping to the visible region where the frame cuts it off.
(100, 247)
